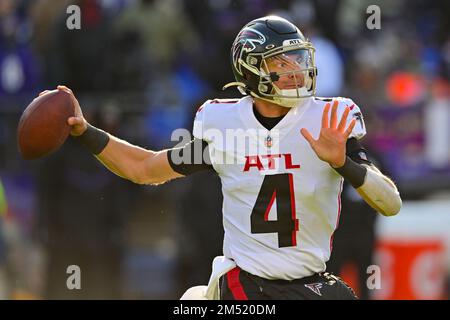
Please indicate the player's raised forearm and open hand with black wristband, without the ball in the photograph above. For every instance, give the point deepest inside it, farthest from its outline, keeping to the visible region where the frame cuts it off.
(374, 187)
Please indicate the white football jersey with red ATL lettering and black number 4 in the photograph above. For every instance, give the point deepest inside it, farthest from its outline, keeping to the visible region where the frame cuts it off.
(281, 202)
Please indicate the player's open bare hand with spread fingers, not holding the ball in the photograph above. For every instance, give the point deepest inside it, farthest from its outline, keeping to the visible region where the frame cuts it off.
(330, 146)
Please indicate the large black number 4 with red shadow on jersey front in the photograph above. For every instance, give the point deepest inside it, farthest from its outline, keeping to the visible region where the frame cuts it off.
(279, 187)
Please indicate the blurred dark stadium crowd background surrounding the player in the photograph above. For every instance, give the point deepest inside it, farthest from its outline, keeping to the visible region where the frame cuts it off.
(139, 69)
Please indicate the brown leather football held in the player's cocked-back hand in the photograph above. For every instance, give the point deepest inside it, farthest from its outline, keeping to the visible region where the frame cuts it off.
(43, 125)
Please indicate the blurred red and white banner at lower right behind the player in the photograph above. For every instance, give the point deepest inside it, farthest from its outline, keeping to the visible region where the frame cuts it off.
(413, 251)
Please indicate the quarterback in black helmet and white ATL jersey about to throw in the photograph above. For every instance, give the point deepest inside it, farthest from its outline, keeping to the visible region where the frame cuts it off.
(281, 199)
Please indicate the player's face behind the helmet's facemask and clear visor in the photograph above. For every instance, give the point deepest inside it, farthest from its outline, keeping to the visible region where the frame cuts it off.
(290, 68)
